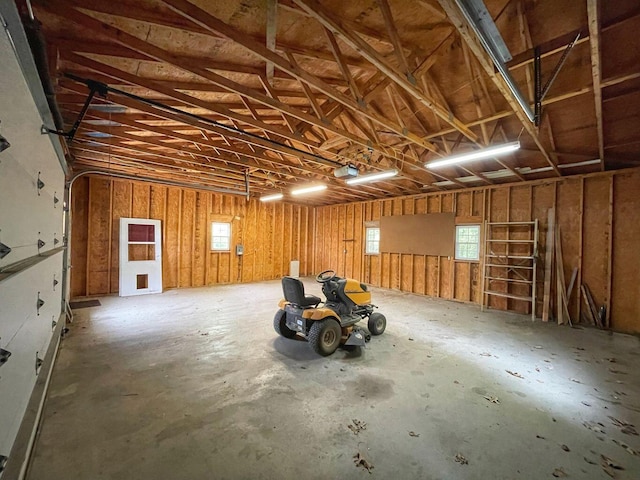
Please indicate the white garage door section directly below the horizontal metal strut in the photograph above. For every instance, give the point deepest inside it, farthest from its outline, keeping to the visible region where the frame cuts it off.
(19, 296)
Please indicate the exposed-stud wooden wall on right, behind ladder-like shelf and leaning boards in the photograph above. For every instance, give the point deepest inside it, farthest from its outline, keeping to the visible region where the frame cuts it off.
(597, 214)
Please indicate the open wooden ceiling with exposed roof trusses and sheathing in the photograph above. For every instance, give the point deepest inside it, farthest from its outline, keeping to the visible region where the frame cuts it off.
(379, 84)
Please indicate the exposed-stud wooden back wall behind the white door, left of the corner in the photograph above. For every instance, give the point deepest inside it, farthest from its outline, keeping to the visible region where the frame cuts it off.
(272, 235)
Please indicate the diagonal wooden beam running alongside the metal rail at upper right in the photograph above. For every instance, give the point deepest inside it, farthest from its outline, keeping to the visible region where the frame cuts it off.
(456, 17)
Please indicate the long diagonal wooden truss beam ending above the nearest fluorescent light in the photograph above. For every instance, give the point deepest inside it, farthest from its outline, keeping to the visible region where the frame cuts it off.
(313, 8)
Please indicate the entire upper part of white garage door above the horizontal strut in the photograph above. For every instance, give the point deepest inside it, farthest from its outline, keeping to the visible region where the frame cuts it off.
(24, 213)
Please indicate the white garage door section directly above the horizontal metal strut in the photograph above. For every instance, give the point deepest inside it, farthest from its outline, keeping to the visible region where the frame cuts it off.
(24, 213)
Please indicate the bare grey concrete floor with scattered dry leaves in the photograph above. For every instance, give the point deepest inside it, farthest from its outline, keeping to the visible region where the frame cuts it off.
(195, 384)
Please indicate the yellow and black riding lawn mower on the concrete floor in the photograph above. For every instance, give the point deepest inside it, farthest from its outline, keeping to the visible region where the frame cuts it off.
(333, 324)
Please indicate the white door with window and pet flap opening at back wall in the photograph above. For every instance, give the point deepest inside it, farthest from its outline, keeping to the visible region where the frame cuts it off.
(140, 256)
